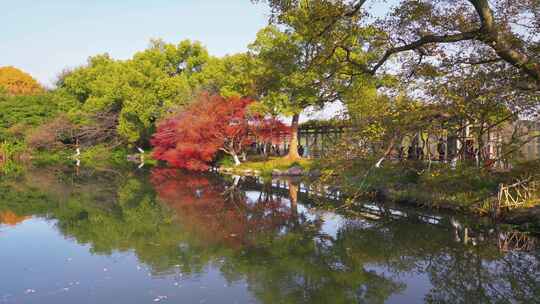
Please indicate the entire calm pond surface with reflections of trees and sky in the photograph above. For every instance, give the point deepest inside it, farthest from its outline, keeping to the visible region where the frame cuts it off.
(170, 237)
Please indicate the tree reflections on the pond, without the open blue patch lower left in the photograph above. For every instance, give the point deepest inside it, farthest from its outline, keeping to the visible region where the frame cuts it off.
(184, 227)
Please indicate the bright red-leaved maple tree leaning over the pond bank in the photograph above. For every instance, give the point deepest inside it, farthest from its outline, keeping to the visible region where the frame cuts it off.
(191, 138)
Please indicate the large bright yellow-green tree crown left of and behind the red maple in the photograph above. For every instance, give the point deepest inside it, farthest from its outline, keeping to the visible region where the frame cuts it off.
(139, 91)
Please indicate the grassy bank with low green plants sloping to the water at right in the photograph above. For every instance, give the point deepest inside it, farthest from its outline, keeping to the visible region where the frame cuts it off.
(465, 189)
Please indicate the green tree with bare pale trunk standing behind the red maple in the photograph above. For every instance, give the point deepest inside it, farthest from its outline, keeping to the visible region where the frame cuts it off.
(288, 80)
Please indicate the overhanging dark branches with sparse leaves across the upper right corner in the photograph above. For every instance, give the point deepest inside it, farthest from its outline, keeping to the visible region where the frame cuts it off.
(480, 32)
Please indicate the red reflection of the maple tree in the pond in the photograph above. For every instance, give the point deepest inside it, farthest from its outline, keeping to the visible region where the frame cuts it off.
(217, 213)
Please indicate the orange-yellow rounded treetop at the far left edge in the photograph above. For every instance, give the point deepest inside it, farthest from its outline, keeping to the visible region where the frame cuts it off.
(17, 82)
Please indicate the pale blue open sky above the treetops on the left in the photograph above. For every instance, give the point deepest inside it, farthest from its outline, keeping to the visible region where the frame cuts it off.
(43, 37)
